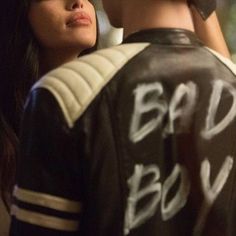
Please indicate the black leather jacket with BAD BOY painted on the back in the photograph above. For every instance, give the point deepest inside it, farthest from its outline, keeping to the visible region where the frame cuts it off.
(134, 140)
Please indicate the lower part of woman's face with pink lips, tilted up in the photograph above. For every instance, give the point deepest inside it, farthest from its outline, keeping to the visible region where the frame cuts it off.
(63, 24)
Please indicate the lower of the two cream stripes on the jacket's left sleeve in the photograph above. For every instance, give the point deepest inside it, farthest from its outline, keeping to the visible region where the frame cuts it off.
(45, 221)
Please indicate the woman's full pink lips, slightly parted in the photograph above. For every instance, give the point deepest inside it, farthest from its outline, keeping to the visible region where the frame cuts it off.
(79, 19)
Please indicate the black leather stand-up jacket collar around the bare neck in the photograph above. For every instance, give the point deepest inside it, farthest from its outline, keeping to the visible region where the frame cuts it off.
(167, 36)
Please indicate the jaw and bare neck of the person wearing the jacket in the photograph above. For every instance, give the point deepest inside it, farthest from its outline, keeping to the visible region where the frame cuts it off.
(136, 15)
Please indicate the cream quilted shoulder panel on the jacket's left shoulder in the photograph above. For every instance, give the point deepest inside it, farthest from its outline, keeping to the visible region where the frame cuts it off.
(77, 83)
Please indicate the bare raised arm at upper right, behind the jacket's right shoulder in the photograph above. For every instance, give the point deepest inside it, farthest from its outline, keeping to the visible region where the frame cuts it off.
(210, 33)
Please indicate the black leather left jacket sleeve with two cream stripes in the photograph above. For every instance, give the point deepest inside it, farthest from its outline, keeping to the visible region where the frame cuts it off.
(47, 200)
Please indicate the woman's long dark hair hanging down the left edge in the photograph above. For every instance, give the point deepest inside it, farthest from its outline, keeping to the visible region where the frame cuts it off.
(19, 69)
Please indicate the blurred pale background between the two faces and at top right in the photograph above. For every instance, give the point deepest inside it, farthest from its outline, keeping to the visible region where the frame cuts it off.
(226, 12)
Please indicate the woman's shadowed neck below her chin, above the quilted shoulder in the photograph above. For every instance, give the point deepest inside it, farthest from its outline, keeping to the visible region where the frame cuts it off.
(51, 59)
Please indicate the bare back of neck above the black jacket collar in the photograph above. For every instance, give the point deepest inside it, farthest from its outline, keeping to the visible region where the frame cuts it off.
(155, 14)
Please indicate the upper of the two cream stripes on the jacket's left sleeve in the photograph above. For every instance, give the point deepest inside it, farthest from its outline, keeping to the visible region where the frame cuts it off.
(46, 200)
